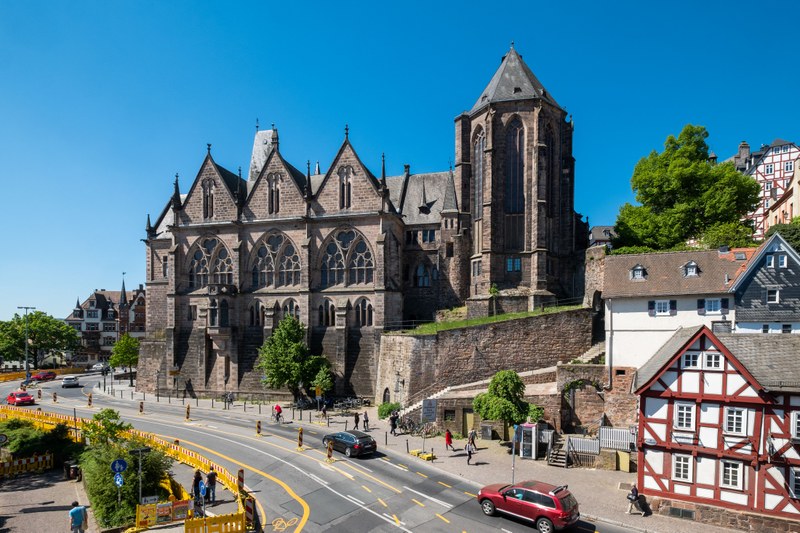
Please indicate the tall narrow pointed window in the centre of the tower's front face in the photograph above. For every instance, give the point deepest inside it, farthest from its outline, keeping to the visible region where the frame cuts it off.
(514, 189)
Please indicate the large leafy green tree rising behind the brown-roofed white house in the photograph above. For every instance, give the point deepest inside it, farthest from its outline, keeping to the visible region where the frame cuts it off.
(684, 196)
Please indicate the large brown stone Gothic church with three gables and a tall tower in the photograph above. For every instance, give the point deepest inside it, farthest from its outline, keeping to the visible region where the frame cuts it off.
(352, 254)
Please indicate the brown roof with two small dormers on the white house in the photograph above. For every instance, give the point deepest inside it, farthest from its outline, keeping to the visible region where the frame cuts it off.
(664, 273)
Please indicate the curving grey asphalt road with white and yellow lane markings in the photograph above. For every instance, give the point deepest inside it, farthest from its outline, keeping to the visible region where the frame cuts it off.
(298, 489)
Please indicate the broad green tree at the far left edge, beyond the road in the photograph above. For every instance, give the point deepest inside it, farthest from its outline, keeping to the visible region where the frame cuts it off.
(45, 334)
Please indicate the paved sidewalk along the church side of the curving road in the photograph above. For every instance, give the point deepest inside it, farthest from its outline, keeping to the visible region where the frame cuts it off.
(600, 493)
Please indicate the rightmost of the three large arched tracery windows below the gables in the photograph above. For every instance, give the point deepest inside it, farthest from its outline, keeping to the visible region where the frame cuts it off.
(348, 249)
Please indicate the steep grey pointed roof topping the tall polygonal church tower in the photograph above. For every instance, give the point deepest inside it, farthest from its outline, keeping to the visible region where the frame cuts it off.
(513, 80)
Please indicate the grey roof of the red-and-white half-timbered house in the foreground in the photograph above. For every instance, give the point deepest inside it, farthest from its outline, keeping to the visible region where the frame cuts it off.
(772, 359)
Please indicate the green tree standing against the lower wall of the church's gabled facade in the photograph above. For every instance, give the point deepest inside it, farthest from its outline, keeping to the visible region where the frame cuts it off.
(284, 358)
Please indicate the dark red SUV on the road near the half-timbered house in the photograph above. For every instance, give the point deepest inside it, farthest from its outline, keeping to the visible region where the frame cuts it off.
(549, 507)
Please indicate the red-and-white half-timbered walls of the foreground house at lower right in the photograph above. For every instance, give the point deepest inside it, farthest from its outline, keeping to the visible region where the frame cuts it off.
(733, 445)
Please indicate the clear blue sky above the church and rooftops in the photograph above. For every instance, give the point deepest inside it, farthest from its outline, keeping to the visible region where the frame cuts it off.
(101, 103)
